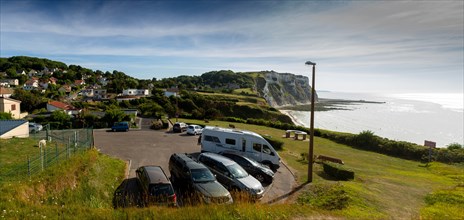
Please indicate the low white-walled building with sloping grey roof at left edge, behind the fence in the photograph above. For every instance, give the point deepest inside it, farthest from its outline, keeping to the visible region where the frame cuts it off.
(14, 128)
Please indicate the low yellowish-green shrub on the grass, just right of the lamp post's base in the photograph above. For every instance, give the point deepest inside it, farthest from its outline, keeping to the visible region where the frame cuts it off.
(325, 196)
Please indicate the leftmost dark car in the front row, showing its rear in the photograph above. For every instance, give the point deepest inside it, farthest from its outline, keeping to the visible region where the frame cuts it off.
(156, 187)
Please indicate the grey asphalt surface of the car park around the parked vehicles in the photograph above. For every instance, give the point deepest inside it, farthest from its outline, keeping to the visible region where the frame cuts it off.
(149, 147)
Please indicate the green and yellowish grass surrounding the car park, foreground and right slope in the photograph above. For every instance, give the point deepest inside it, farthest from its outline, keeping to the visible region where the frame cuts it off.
(384, 187)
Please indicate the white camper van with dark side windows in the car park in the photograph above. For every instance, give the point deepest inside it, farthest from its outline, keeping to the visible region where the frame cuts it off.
(246, 143)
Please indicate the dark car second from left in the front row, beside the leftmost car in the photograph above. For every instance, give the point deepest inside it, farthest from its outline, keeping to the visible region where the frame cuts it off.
(196, 178)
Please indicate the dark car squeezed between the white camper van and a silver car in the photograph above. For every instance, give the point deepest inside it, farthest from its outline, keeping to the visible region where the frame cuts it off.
(261, 172)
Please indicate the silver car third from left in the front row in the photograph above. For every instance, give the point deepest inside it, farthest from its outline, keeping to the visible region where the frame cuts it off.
(232, 175)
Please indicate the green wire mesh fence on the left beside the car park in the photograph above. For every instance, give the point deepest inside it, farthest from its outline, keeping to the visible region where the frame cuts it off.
(60, 145)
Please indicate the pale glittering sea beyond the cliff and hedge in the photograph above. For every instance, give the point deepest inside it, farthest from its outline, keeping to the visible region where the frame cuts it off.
(412, 117)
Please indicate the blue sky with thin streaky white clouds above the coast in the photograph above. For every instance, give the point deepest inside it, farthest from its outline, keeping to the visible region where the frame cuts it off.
(359, 46)
